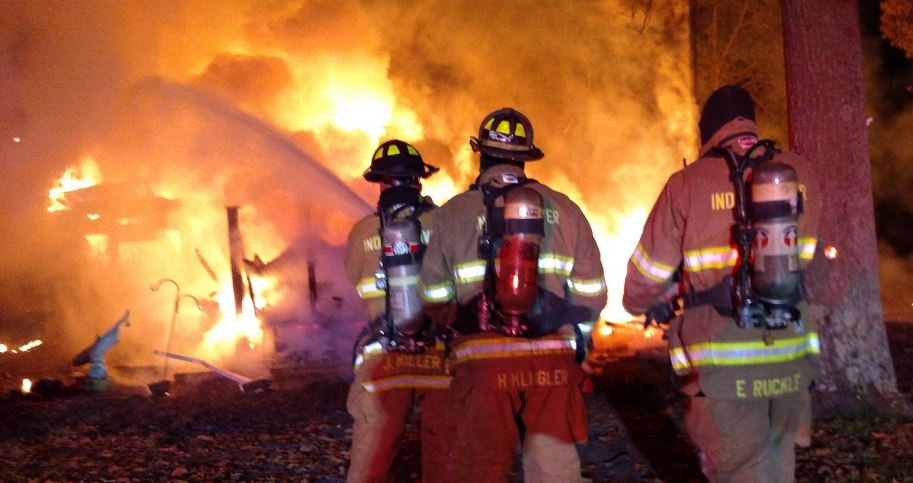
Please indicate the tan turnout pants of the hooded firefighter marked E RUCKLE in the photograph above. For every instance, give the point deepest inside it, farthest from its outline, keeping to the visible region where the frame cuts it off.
(749, 441)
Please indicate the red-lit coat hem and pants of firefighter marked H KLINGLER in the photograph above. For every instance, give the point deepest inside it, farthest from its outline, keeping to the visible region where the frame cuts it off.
(534, 400)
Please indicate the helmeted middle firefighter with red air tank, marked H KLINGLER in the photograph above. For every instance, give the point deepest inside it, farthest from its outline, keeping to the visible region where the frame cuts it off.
(513, 268)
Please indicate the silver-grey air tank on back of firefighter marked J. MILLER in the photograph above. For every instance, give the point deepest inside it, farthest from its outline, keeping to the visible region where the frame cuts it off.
(402, 262)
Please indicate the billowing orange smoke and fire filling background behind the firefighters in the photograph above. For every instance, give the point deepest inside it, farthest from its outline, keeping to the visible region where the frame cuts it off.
(275, 107)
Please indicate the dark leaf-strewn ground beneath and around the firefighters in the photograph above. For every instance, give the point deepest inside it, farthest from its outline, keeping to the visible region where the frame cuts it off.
(301, 432)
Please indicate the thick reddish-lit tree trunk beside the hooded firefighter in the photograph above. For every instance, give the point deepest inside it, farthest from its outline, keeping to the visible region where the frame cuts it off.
(827, 126)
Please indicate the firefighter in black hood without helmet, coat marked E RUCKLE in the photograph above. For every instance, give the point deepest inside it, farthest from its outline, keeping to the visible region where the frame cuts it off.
(749, 361)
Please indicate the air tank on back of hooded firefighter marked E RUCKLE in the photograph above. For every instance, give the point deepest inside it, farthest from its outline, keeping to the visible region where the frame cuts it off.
(775, 209)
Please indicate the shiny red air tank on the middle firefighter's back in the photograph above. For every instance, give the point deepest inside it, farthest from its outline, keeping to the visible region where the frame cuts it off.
(517, 284)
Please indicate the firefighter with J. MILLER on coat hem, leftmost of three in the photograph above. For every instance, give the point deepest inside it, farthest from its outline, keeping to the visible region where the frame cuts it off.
(399, 363)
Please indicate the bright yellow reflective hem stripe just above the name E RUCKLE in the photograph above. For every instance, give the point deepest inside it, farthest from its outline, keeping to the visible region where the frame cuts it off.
(744, 353)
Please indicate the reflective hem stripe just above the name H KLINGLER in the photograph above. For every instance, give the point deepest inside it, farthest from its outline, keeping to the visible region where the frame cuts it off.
(501, 347)
